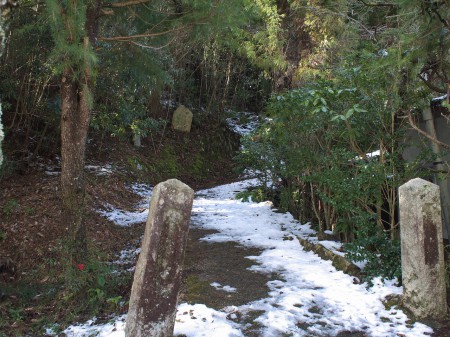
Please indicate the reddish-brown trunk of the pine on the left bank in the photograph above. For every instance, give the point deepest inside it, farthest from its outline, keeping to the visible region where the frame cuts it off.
(76, 100)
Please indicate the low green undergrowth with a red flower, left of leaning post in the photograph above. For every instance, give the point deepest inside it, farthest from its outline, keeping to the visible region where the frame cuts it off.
(57, 293)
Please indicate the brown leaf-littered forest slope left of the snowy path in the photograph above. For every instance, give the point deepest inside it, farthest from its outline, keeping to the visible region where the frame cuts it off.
(31, 233)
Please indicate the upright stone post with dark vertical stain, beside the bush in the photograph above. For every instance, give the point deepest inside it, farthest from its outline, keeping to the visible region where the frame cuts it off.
(423, 266)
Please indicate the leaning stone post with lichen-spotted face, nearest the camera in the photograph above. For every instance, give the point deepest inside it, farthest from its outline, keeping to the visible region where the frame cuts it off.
(157, 278)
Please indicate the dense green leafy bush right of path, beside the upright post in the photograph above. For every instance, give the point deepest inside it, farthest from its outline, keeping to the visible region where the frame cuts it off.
(318, 146)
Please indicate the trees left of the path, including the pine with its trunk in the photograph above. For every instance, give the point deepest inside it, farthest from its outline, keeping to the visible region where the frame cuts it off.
(113, 61)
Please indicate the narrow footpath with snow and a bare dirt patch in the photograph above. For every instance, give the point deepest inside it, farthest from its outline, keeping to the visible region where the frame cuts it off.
(247, 275)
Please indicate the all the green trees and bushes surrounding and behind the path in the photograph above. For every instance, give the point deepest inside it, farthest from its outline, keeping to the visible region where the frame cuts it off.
(347, 77)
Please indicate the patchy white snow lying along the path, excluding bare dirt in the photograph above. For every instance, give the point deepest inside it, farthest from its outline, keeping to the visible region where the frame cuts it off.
(309, 298)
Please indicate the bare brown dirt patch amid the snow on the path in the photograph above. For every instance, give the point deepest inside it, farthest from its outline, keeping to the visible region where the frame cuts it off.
(224, 263)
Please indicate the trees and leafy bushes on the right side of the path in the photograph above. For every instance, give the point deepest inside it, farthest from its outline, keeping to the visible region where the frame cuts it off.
(334, 143)
